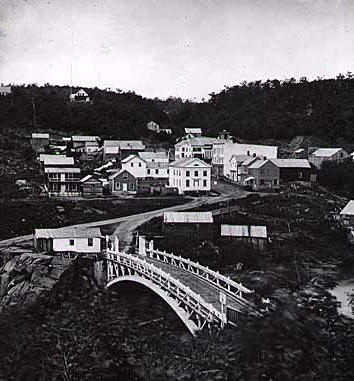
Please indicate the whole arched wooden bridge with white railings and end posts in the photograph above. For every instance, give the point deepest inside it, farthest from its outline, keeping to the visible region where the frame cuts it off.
(198, 295)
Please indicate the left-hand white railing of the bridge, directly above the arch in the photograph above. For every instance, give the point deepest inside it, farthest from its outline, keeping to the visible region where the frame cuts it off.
(167, 282)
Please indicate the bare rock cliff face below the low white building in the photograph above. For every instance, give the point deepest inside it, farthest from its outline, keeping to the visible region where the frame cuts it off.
(27, 277)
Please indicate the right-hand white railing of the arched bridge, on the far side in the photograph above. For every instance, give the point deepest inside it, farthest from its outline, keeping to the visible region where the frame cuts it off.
(221, 281)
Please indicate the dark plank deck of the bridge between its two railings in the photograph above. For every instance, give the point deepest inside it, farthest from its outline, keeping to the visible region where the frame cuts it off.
(208, 291)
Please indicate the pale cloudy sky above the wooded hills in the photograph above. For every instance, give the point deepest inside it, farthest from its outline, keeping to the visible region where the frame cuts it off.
(185, 48)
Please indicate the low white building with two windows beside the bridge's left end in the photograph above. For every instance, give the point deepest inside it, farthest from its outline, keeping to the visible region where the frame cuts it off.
(69, 240)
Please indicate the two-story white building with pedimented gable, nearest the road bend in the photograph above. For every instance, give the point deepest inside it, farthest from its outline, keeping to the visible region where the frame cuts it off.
(190, 175)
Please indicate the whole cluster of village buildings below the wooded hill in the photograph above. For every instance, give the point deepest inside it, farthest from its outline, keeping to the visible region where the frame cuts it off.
(129, 167)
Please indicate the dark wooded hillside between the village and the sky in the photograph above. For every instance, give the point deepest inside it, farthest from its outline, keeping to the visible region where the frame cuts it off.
(254, 111)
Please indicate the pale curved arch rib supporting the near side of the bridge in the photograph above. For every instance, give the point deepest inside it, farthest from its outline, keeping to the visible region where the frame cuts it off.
(172, 302)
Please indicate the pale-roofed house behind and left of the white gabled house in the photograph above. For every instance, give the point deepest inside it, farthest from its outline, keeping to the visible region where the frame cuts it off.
(120, 149)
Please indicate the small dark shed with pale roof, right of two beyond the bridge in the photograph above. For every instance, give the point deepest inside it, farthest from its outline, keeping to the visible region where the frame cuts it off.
(254, 235)
